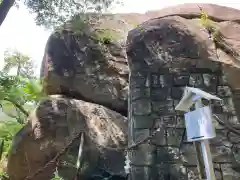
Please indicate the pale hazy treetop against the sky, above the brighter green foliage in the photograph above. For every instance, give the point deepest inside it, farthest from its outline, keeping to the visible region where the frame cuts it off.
(22, 63)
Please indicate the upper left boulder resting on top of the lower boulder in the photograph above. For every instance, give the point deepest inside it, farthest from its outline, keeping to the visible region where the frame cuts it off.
(87, 60)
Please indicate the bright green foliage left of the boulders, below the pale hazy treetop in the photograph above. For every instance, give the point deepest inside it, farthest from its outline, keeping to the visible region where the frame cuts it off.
(18, 92)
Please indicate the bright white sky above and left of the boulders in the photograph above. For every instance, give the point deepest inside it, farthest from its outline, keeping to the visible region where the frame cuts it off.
(20, 32)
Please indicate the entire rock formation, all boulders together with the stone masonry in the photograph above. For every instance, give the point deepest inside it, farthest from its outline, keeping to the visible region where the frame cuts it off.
(90, 66)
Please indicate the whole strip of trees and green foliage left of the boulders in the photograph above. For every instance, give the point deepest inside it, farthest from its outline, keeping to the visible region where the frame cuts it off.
(18, 94)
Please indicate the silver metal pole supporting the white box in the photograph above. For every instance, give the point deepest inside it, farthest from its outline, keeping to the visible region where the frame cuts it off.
(206, 154)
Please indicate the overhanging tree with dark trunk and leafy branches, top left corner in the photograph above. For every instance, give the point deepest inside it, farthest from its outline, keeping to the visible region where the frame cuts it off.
(54, 12)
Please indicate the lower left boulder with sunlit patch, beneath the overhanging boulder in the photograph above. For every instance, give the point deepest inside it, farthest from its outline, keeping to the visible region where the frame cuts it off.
(53, 124)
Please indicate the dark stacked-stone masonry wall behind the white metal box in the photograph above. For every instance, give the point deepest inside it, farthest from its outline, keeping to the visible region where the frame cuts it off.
(153, 97)
